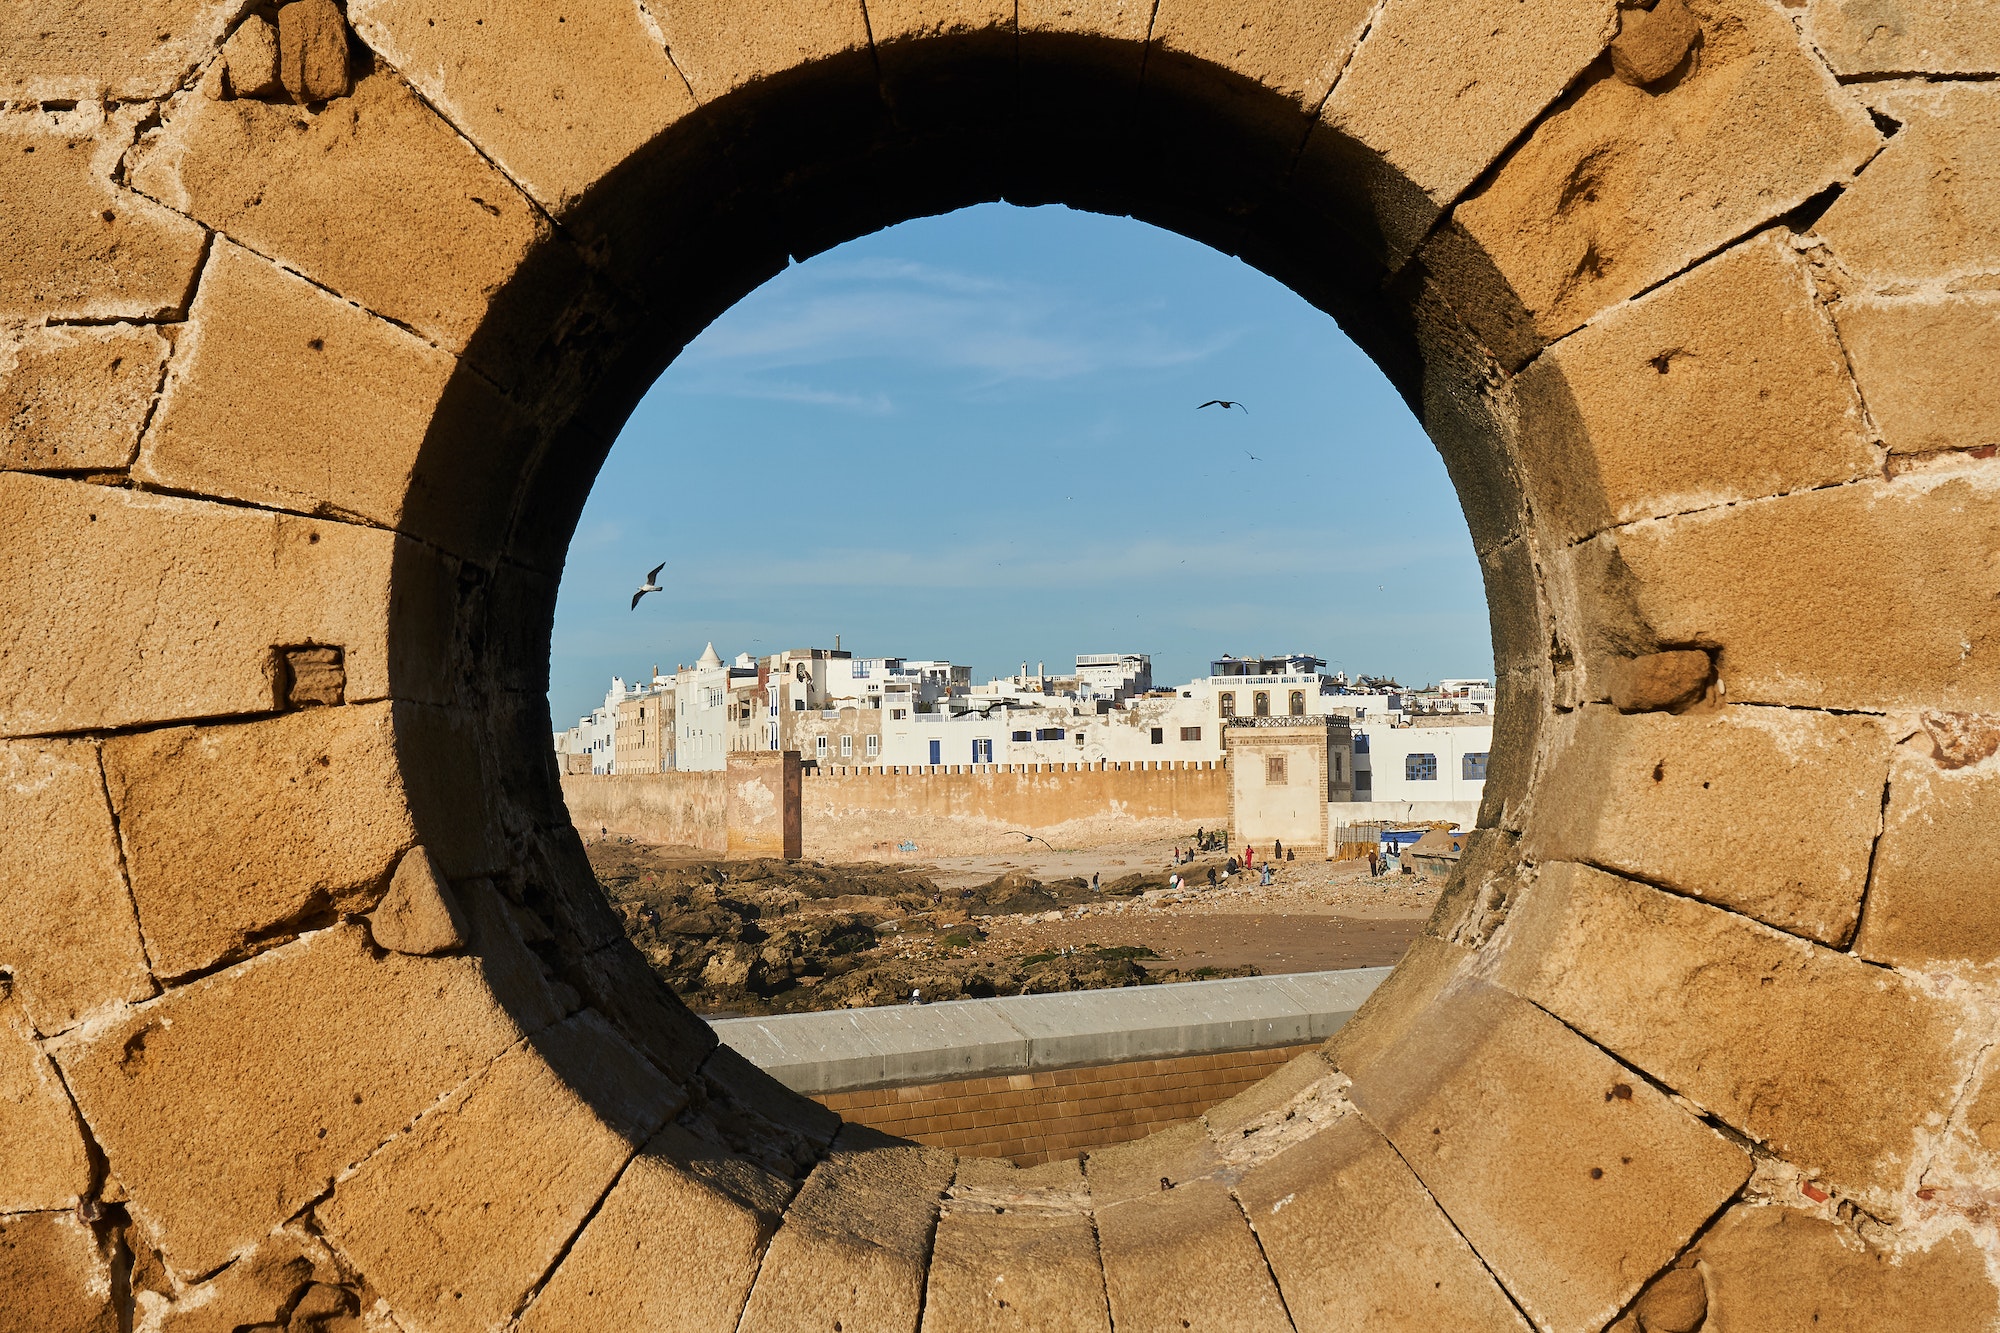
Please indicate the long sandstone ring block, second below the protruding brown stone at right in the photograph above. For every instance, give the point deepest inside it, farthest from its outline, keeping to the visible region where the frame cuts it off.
(1841, 1068)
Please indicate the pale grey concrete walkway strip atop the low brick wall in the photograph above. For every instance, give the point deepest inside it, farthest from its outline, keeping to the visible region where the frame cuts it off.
(971, 1040)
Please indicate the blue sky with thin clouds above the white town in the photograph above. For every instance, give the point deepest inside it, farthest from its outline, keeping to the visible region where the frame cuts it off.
(977, 437)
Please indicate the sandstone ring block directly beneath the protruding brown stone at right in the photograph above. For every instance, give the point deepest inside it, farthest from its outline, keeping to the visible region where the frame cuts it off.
(1767, 812)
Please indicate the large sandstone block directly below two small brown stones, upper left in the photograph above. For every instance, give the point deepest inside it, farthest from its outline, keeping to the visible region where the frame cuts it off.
(377, 199)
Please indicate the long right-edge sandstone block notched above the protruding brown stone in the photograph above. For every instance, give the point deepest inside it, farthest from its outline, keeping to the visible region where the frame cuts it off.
(1897, 613)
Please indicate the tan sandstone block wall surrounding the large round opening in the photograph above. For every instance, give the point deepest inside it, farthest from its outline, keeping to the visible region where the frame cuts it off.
(315, 327)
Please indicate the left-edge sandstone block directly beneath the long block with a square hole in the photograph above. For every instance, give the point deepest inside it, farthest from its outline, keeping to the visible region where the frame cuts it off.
(67, 928)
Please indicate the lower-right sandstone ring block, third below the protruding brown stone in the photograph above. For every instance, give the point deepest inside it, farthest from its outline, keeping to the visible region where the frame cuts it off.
(1571, 1178)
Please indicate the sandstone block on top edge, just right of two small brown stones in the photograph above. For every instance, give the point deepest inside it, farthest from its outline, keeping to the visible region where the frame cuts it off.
(555, 97)
